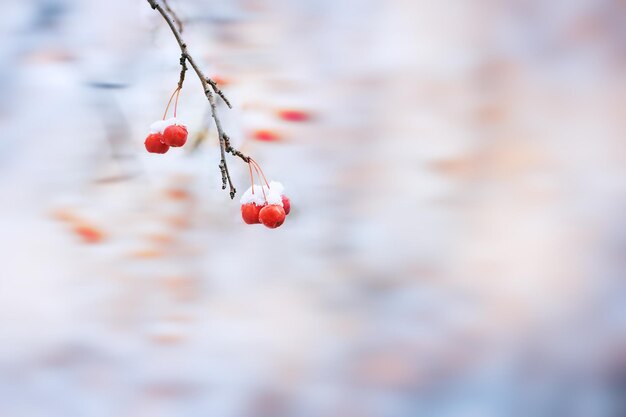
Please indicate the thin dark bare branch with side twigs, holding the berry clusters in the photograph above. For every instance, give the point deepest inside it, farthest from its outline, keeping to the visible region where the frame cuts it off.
(210, 88)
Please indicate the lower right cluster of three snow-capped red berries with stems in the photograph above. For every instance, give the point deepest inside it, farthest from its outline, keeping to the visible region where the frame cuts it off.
(270, 207)
